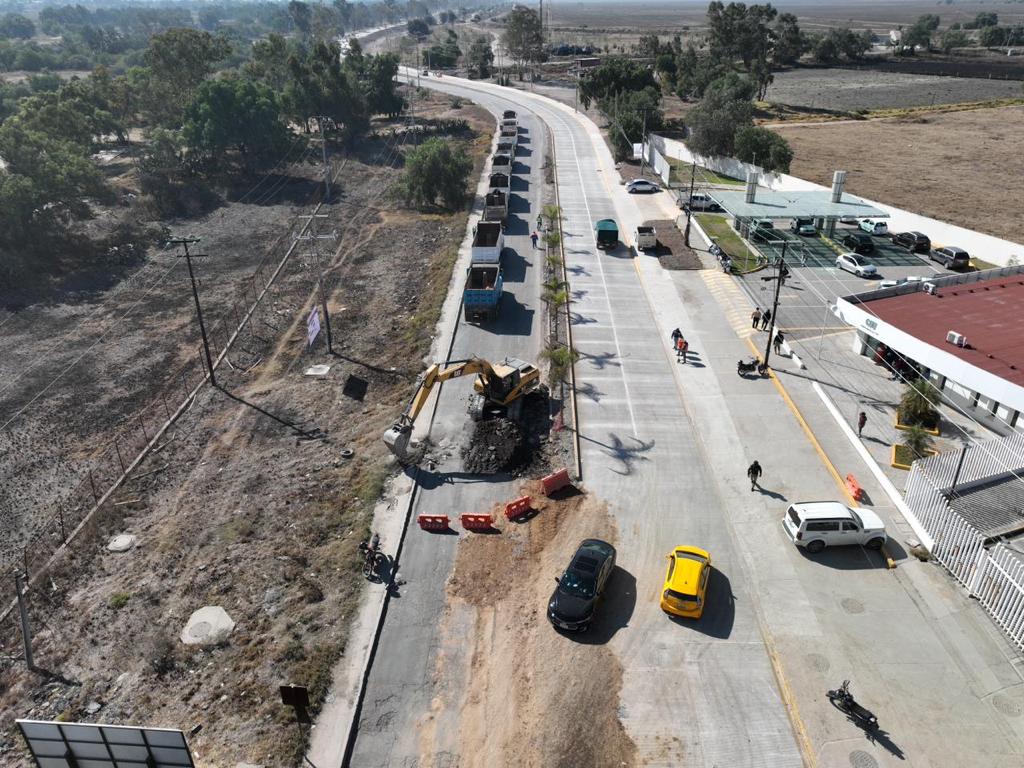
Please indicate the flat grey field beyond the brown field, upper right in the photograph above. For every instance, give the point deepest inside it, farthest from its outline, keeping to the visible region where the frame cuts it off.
(852, 90)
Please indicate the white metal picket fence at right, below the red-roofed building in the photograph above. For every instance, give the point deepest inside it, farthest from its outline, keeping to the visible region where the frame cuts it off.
(996, 575)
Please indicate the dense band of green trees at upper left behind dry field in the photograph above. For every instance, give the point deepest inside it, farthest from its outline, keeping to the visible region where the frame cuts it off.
(198, 126)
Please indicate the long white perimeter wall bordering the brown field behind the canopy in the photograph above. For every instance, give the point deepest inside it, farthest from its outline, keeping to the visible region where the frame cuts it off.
(993, 250)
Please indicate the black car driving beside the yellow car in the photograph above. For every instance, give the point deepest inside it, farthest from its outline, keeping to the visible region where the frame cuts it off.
(573, 604)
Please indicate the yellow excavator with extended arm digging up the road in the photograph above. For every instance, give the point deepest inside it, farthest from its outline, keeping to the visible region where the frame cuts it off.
(499, 389)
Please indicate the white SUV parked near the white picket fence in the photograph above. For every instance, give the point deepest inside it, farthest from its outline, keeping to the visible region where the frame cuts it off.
(816, 526)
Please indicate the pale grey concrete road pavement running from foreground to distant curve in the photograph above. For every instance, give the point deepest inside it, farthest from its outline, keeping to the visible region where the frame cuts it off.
(666, 445)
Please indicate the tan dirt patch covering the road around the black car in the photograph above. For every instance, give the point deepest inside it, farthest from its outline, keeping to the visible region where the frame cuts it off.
(536, 698)
